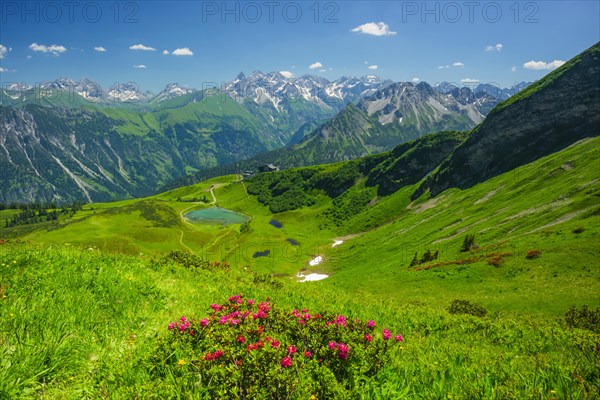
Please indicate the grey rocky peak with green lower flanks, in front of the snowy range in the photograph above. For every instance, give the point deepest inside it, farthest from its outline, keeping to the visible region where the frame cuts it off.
(397, 113)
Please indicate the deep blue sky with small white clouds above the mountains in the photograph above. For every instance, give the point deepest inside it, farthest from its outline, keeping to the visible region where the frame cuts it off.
(471, 41)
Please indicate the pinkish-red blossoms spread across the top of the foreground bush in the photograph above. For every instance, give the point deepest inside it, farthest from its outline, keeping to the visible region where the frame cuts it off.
(249, 335)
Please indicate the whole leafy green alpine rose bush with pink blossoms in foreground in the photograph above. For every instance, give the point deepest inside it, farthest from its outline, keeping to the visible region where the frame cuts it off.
(250, 349)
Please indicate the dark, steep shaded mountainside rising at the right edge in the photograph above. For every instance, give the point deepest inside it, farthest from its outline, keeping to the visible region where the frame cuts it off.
(544, 118)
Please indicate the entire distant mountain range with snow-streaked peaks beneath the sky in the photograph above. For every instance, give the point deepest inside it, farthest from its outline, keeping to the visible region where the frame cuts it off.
(67, 140)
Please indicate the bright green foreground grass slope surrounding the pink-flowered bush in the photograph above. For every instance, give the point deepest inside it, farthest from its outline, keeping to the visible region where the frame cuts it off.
(91, 324)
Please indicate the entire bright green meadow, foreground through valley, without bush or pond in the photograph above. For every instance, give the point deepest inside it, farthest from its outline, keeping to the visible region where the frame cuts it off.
(85, 301)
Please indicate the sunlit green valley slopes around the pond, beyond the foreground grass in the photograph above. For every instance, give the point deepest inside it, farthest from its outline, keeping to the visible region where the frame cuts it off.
(549, 205)
